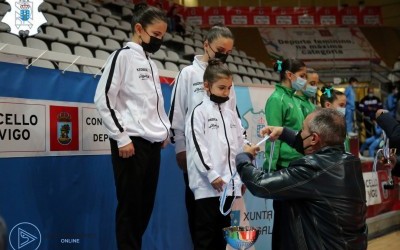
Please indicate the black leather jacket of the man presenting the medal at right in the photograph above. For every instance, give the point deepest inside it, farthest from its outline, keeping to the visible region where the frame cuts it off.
(323, 197)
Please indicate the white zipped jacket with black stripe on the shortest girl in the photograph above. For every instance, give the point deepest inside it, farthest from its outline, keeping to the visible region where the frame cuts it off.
(214, 137)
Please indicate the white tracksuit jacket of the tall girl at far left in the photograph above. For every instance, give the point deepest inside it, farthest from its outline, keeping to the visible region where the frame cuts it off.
(129, 98)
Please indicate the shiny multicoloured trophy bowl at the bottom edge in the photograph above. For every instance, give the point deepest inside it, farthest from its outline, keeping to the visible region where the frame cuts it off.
(241, 238)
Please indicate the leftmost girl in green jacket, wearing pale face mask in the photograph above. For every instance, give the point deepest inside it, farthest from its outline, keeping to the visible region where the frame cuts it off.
(283, 110)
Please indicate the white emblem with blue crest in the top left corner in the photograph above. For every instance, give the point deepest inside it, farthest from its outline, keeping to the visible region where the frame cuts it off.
(24, 17)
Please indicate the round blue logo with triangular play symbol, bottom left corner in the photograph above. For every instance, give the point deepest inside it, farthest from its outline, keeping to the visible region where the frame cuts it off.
(25, 235)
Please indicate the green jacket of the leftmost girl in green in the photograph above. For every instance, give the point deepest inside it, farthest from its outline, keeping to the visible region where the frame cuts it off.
(282, 109)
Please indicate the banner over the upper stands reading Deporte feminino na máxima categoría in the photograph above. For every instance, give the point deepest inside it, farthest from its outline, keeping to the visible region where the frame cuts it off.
(319, 45)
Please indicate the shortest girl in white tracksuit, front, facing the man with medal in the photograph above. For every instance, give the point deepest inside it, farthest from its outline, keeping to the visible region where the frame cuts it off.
(213, 139)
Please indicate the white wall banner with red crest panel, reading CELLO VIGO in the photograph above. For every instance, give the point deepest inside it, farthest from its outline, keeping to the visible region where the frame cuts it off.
(32, 128)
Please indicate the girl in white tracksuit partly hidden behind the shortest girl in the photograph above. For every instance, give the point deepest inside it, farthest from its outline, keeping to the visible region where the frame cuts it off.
(188, 92)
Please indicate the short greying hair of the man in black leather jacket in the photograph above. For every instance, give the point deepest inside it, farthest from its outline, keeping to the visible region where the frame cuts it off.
(330, 125)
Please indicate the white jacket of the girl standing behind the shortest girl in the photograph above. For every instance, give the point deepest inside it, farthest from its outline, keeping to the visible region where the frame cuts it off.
(187, 93)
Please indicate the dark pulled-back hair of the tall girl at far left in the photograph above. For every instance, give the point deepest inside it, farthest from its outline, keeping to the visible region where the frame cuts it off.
(145, 15)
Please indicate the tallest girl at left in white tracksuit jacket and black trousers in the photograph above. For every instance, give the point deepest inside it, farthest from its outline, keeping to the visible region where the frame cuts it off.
(130, 102)
